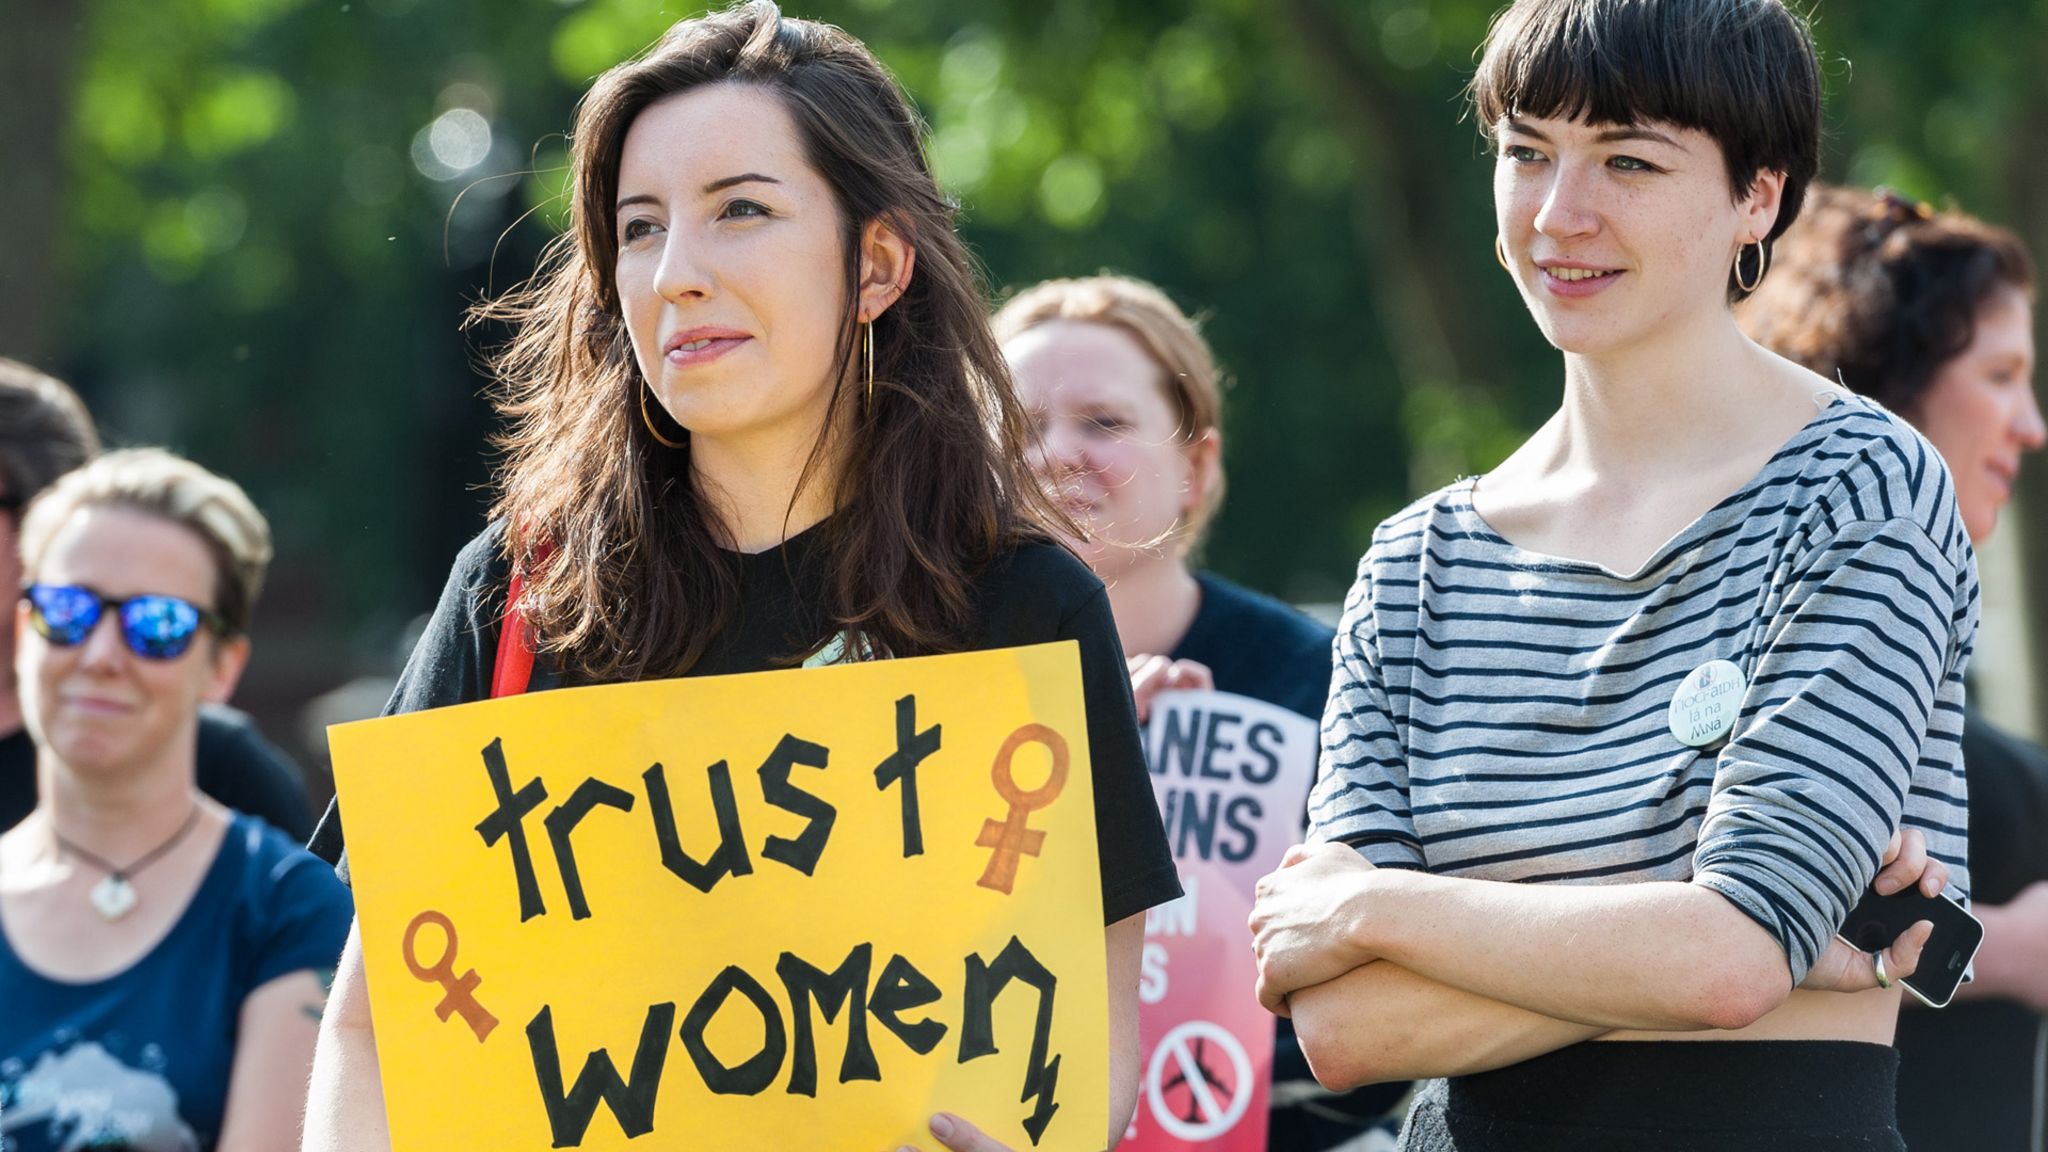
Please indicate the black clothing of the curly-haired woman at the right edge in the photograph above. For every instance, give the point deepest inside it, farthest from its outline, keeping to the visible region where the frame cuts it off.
(1971, 1077)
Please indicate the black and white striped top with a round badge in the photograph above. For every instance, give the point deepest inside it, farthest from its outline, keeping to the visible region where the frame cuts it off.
(1504, 714)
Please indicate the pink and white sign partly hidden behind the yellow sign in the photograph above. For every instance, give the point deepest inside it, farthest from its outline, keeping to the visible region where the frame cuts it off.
(1232, 776)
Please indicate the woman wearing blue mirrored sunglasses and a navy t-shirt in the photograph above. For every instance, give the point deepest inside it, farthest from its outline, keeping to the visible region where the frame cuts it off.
(165, 960)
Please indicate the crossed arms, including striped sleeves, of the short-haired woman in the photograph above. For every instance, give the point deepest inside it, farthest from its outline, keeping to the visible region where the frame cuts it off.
(1392, 973)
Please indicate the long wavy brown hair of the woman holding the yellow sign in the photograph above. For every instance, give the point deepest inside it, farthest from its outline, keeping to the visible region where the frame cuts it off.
(620, 552)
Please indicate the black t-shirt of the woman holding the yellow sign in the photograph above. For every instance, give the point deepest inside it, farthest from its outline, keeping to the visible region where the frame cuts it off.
(1033, 595)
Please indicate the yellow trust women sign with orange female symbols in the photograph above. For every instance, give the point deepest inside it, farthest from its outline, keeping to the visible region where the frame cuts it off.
(777, 911)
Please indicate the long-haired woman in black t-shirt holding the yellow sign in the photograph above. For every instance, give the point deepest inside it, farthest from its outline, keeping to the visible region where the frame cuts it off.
(759, 419)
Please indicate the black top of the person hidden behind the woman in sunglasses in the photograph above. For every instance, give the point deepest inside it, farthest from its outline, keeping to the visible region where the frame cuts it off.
(237, 766)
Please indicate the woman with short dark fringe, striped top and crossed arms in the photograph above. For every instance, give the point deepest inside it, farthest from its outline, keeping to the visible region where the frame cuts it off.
(1625, 727)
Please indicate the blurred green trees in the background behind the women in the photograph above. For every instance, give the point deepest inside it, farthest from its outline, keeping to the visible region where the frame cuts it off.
(249, 231)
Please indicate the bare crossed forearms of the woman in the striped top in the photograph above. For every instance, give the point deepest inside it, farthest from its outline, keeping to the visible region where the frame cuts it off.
(1457, 977)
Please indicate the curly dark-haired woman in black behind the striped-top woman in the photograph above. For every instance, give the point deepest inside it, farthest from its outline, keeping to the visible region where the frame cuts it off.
(1932, 315)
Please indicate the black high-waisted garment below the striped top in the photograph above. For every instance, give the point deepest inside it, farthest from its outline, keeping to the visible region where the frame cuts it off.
(1670, 1098)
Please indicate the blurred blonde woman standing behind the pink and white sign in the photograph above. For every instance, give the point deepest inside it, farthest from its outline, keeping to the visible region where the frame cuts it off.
(1127, 405)
